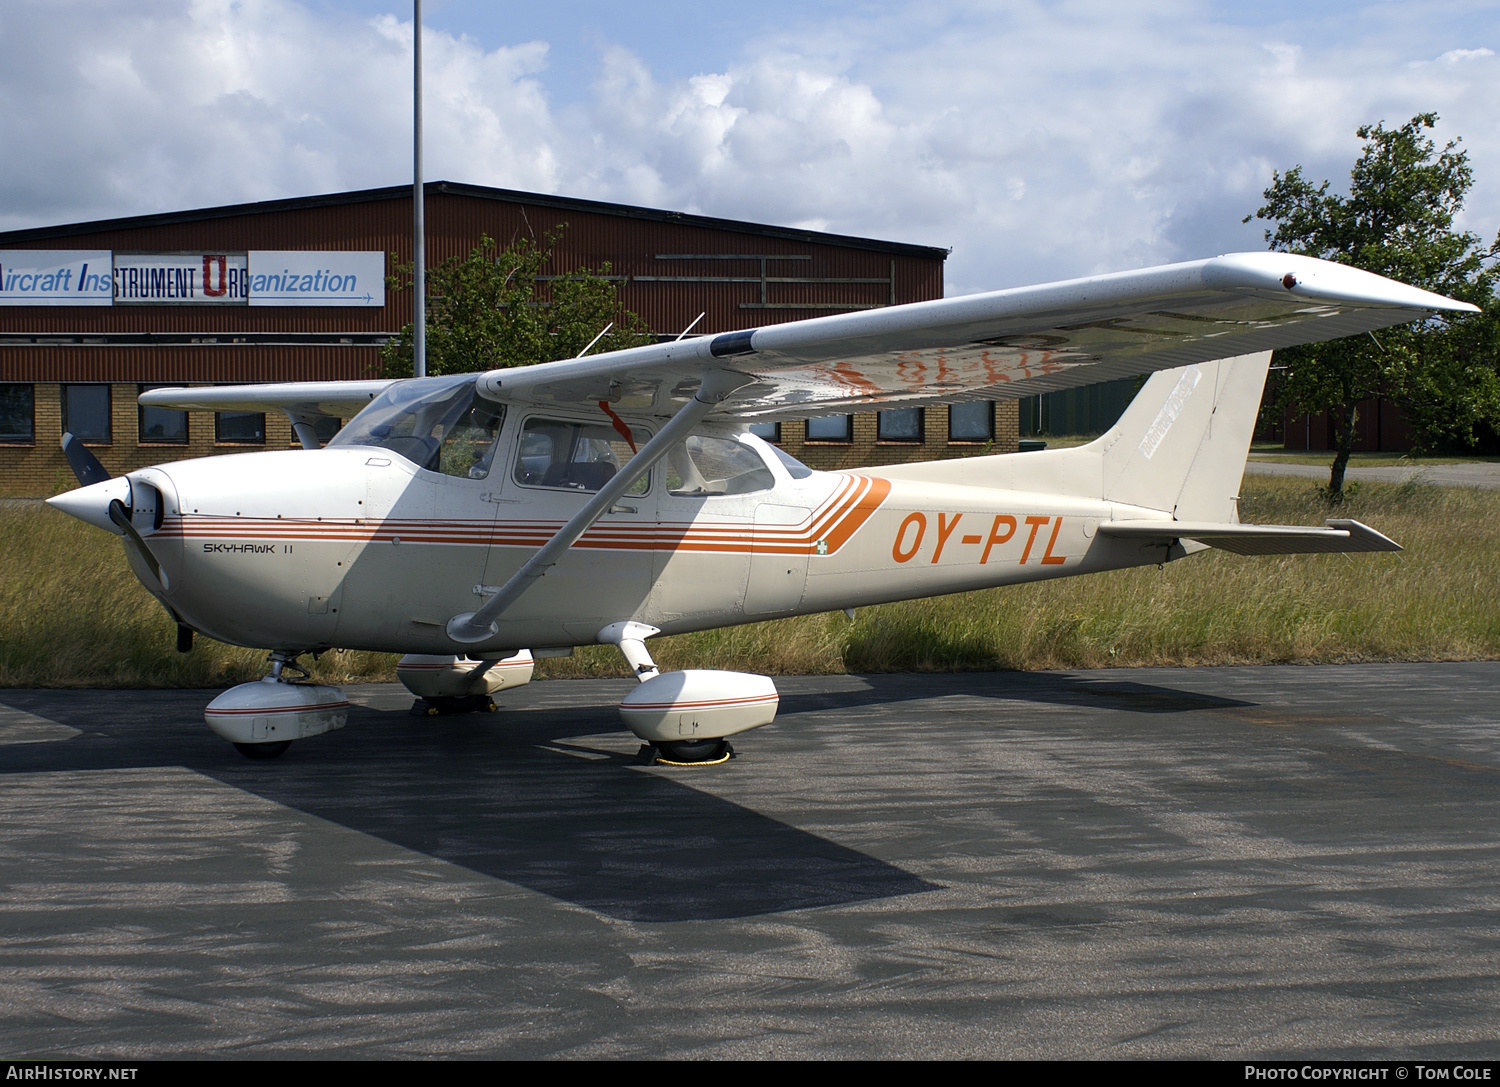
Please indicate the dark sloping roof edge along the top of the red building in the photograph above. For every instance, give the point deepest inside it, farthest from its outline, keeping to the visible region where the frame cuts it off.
(478, 193)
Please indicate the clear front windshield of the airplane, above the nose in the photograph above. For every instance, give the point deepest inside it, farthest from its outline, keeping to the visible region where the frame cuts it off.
(437, 424)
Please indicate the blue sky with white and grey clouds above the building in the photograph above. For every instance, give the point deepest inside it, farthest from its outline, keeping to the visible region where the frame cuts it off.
(1036, 140)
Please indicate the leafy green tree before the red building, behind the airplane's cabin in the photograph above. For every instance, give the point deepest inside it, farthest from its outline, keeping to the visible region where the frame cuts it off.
(493, 311)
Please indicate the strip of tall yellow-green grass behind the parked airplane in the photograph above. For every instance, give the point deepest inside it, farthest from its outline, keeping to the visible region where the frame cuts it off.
(76, 615)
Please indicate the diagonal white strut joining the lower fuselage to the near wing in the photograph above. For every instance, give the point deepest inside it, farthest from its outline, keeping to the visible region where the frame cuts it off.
(481, 626)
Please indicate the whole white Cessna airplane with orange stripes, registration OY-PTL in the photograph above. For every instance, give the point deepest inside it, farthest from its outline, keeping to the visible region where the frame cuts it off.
(475, 520)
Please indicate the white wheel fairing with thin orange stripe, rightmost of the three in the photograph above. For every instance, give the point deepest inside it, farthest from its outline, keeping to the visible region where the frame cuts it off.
(700, 704)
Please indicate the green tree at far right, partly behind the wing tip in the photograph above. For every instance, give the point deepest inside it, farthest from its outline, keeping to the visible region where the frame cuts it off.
(1399, 223)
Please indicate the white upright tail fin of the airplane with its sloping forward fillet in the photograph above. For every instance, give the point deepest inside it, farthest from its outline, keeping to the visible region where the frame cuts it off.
(1180, 448)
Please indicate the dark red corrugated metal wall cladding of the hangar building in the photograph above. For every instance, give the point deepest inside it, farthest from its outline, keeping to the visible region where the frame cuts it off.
(667, 293)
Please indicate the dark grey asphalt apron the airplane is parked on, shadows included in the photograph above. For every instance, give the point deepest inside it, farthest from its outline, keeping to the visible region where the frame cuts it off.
(1214, 863)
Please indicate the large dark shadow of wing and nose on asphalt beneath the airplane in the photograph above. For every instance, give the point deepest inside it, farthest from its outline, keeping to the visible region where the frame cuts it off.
(503, 800)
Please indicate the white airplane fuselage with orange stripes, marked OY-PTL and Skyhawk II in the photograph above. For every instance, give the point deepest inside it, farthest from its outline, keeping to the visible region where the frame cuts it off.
(361, 548)
